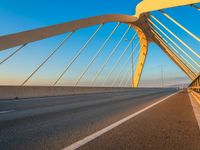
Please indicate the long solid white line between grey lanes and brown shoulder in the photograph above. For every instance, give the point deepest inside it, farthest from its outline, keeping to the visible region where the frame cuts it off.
(110, 127)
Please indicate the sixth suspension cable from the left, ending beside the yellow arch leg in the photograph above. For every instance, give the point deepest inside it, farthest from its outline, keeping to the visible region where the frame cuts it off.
(119, 59)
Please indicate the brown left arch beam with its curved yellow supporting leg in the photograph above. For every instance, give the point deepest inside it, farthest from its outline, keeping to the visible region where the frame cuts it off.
(21, 38)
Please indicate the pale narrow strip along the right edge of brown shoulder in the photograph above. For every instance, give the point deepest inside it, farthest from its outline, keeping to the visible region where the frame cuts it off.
(196, 109)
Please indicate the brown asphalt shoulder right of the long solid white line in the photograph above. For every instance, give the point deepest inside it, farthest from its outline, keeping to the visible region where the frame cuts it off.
(169, 125)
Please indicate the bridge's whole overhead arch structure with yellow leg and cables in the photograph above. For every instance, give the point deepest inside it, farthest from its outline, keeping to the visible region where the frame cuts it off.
(142, 22)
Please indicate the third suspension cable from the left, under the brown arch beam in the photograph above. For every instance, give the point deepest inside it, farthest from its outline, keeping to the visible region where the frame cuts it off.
(78, 54)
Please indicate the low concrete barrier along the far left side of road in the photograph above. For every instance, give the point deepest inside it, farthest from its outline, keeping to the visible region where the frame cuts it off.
(15, 92)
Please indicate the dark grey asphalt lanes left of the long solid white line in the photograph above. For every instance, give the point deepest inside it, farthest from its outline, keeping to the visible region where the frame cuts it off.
(55, 122)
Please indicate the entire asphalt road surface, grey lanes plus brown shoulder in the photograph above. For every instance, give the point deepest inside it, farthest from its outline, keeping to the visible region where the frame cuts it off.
(57, 122)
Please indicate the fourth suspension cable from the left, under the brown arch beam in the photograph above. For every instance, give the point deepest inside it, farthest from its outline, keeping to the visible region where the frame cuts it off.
(98, 52)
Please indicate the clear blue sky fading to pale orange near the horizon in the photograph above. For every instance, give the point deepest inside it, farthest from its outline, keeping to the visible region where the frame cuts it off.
(21, 15)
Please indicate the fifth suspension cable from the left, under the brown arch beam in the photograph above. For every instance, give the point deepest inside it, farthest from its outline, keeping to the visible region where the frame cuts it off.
(112, 52)
